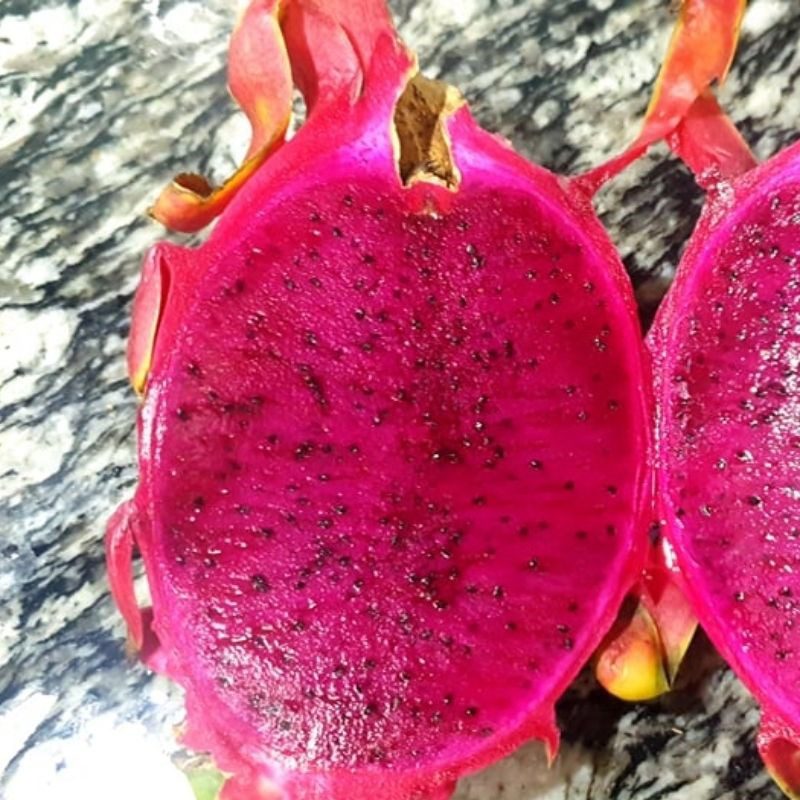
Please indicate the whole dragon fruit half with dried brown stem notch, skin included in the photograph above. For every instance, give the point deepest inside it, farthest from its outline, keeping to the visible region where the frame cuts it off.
(394, 438)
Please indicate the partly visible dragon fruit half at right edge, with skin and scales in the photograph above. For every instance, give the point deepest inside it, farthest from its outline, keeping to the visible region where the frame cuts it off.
(725, 347)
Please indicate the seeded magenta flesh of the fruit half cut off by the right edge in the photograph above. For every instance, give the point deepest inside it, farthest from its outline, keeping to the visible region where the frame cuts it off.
(732, 439)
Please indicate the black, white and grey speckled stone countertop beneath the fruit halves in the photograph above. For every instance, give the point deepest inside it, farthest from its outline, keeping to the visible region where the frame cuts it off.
(103, 100)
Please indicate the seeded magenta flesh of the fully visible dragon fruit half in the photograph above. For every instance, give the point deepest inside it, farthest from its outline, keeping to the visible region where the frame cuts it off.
(397, 474)
